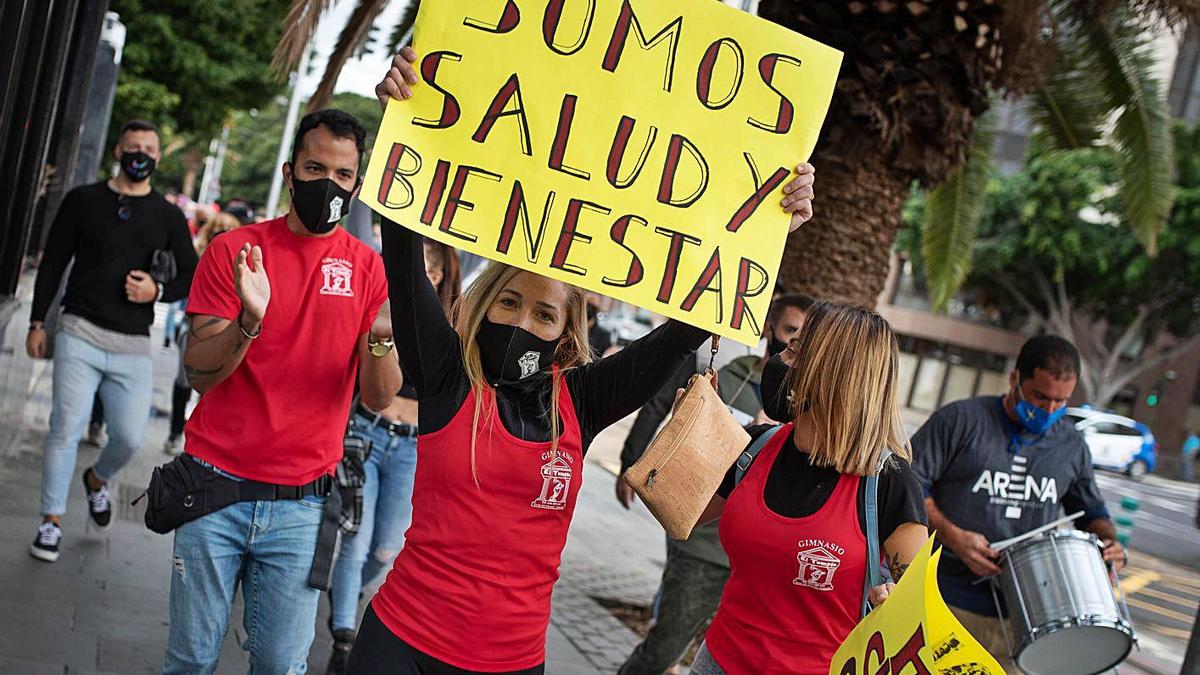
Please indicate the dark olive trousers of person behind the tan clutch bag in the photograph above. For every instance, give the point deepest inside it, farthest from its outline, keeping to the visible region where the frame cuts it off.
(688, 599)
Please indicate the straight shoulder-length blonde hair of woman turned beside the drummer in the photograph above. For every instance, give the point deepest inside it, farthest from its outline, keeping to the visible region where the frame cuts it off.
(847, 379)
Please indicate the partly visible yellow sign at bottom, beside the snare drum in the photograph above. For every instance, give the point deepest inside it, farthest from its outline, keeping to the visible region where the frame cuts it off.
(914, 632)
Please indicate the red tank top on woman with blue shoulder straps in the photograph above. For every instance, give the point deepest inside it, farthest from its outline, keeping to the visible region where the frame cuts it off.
(796, 584)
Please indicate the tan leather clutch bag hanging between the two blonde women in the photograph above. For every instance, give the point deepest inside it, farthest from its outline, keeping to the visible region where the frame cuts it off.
(681, 471)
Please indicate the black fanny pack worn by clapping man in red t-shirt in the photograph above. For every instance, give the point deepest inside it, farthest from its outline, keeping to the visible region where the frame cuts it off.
(184, 489)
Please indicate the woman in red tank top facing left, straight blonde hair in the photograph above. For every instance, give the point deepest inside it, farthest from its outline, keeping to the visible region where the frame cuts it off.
(795, 513)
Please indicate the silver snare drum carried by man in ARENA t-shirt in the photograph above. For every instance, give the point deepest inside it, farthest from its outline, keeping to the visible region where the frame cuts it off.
(1063, 610)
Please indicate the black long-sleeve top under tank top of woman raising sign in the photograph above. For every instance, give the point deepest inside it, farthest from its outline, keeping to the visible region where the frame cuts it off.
(604, 392)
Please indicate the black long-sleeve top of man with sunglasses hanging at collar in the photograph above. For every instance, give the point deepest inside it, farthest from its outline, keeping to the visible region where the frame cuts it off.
(106, 249)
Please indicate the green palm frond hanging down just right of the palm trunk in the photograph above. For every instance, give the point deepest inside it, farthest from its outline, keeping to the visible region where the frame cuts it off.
(952, 217)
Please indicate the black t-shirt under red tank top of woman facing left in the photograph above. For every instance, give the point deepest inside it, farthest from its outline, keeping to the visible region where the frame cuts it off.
(796, 488)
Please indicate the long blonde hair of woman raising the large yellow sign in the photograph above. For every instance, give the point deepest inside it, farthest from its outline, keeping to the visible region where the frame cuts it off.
(470, 312)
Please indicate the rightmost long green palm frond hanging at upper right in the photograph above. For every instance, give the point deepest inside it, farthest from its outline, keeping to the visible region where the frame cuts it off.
(1142, 135)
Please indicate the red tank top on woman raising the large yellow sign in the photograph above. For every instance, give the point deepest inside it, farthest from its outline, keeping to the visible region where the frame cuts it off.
(472, 586)
